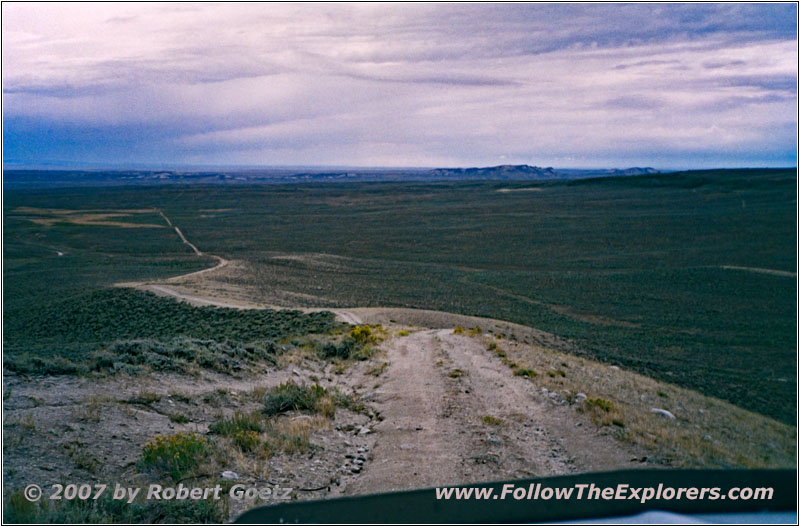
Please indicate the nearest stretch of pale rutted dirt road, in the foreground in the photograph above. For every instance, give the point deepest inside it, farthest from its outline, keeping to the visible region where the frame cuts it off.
(452, 413)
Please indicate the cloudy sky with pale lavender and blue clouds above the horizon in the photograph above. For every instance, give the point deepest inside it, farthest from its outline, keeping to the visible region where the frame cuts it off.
(164, 85)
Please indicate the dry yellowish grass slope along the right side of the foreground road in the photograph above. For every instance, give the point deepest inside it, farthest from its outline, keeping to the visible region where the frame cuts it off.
(707, 432)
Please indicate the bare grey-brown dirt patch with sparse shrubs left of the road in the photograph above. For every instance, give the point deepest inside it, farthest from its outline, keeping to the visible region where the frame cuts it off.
(77, 429)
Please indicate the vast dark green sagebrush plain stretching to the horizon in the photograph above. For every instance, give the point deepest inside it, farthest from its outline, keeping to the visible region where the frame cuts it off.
(660, 274)
